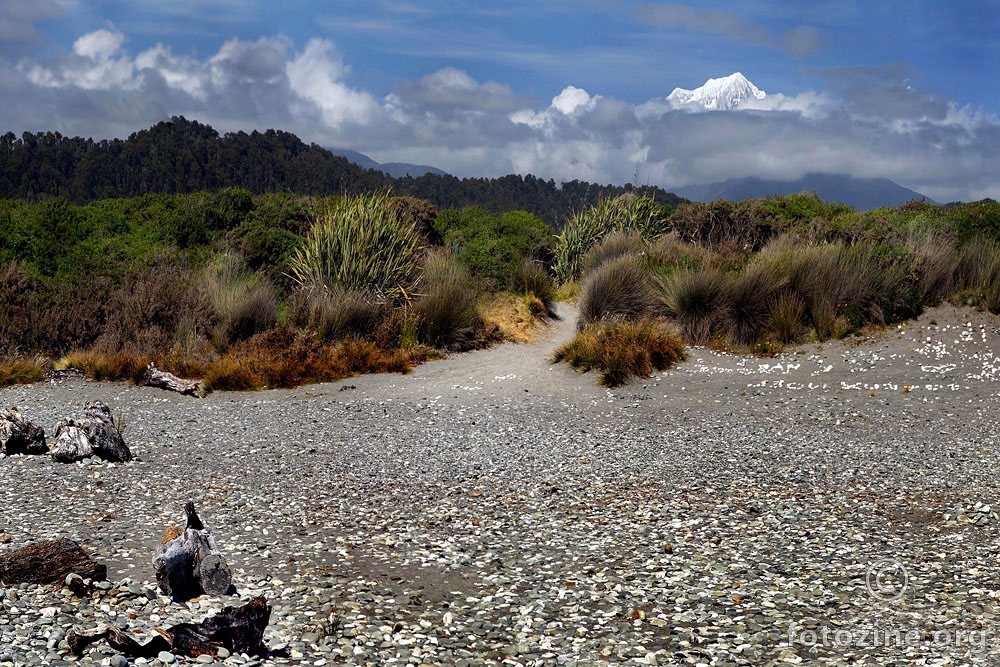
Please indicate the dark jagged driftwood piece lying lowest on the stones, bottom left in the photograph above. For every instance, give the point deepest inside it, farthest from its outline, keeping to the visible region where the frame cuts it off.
(237, 629)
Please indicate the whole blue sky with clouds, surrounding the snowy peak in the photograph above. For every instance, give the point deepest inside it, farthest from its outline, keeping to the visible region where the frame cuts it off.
(562, 89)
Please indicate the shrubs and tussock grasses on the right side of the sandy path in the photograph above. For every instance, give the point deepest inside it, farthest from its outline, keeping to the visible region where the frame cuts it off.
(758, 275)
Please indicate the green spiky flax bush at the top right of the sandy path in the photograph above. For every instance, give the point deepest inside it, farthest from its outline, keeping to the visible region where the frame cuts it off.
(626, 213)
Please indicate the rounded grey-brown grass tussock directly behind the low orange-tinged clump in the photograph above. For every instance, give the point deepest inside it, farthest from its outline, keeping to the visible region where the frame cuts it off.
(619, 289)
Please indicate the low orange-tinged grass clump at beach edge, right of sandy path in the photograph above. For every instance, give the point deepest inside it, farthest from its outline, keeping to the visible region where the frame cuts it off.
(619, 351)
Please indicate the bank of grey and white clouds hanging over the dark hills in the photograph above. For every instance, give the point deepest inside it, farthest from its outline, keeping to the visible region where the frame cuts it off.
(868, 123)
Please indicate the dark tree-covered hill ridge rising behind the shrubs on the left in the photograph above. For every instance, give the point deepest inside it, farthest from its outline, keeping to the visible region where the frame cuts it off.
(181, 156)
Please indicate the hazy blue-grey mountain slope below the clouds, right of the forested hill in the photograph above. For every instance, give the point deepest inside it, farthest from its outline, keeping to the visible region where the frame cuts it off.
(859, 193)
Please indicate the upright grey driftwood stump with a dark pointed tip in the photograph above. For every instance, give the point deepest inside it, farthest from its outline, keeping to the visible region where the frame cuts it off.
(191, 564)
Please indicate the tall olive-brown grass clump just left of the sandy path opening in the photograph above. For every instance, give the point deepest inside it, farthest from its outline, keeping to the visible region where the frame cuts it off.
(447, 310)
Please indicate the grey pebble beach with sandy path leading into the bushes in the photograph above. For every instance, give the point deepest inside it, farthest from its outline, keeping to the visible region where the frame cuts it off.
(833, 505)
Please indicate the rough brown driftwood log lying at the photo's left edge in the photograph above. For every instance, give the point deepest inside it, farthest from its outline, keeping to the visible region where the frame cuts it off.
(49, 563)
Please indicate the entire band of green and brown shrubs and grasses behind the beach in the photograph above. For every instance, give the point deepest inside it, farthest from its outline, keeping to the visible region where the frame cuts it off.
(246, 291)
